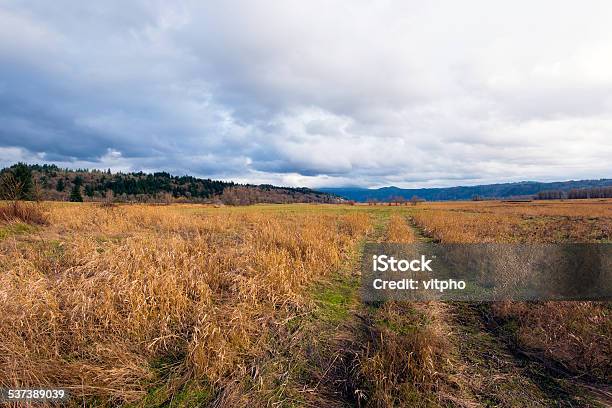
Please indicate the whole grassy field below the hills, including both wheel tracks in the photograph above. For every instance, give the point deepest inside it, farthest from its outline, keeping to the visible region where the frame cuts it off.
(193, 305)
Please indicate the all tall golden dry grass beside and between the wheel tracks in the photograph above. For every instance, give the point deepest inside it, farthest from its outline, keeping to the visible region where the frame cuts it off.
(118, 302)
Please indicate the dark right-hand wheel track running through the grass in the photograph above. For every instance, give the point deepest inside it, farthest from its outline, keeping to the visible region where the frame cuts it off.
(490, 371)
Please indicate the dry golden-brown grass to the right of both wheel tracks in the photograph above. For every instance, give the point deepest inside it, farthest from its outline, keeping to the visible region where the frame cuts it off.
(577, 335)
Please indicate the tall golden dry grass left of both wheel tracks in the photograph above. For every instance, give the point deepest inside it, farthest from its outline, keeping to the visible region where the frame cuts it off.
(104, 297)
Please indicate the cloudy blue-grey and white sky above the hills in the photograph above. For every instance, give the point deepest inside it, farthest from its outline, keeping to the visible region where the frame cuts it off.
(311, 93)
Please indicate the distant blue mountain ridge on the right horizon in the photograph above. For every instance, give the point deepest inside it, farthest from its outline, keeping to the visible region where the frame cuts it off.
(505, 190)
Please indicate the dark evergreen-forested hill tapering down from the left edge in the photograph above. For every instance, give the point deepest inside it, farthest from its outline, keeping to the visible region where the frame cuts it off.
(50, 182)
